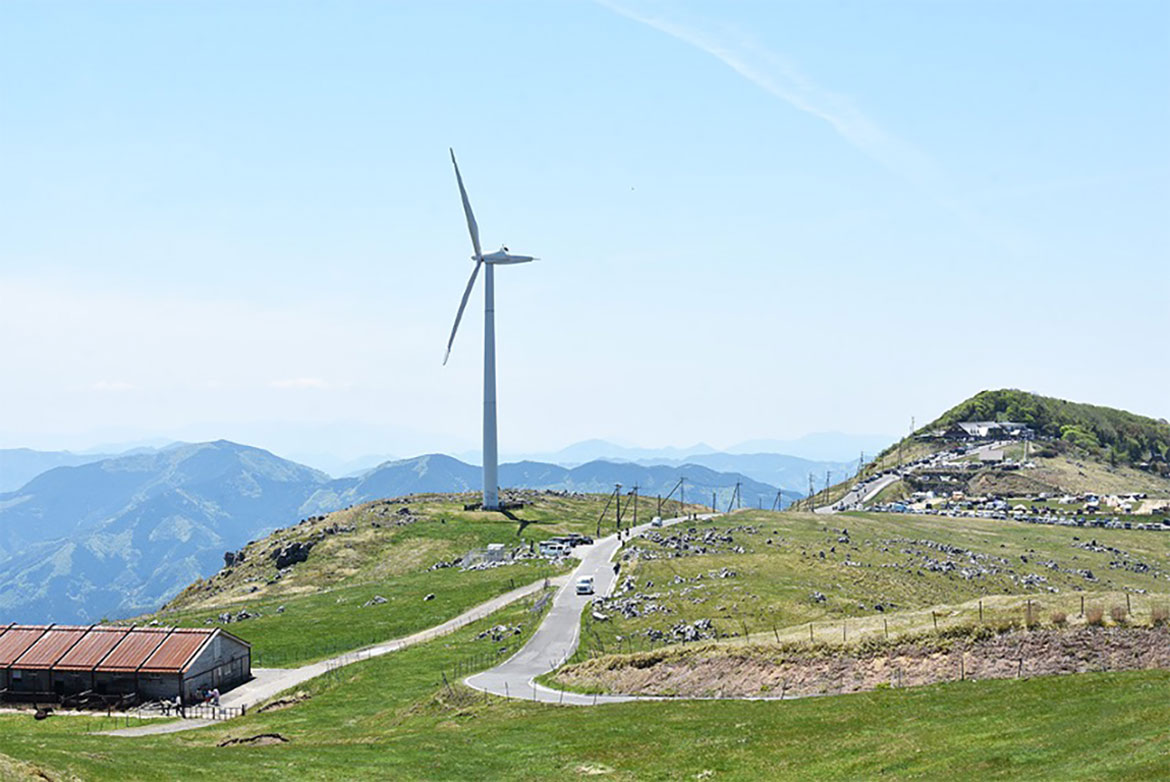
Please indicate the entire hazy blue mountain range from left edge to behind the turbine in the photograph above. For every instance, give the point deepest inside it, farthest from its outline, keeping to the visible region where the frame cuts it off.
(121, 536)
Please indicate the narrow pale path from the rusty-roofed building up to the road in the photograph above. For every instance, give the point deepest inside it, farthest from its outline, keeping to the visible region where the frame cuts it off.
(267, 683)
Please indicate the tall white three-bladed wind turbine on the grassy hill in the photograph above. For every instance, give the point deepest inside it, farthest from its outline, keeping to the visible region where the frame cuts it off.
(491, 467)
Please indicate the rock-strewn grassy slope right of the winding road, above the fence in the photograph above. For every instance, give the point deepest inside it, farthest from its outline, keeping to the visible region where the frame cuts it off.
(897, 563)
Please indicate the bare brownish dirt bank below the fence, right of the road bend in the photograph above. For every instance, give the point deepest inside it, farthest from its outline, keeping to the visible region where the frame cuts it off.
(761, 671)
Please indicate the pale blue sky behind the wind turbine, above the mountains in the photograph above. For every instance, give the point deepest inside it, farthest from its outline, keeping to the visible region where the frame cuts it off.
(755, 219)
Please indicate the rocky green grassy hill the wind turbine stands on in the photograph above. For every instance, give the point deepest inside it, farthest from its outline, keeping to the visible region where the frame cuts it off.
(384, 550)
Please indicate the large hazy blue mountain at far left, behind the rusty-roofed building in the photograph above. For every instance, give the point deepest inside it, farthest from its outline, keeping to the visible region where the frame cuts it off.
(119, 537)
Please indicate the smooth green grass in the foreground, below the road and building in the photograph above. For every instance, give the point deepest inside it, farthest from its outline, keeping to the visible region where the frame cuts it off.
(393, 718)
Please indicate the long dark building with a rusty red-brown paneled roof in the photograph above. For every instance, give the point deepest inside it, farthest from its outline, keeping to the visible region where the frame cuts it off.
(104, 662)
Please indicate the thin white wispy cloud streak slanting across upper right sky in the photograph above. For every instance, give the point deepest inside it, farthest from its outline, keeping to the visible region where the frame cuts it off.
(770, 72)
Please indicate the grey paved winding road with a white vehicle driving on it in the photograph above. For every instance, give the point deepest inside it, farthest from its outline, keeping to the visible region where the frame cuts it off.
(556, 640)
